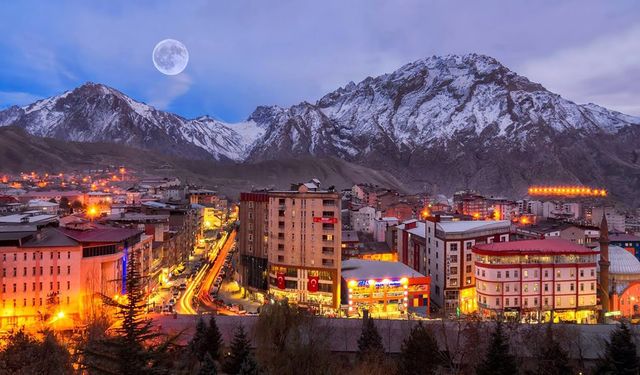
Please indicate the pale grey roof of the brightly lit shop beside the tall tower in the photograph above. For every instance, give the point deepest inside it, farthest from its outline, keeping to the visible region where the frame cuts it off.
(359, 269)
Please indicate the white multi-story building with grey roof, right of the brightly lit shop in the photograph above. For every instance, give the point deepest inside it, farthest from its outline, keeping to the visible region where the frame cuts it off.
(449, 261)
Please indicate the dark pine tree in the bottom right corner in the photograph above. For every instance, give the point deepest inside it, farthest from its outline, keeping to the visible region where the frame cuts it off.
(620, 356)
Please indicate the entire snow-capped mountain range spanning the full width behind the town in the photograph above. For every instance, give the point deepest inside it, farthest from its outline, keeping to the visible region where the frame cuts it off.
(443, 123)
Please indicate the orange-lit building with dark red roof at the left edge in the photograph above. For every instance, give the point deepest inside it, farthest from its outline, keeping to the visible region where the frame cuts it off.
(58, 274)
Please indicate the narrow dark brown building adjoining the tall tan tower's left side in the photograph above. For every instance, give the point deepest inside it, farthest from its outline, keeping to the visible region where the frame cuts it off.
(253, 240)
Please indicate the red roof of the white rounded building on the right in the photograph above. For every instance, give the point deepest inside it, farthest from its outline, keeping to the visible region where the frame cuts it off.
(532, 247)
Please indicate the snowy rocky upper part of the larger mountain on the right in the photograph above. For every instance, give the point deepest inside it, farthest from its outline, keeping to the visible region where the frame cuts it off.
(428, 101)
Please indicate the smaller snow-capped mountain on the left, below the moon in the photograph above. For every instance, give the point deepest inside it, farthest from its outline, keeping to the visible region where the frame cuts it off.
(97, 113)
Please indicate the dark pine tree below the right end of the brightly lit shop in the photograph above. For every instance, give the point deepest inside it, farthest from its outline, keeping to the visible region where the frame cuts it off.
(419, 353)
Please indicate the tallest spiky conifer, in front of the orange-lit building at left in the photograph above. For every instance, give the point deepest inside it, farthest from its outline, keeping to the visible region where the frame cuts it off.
(129, 350)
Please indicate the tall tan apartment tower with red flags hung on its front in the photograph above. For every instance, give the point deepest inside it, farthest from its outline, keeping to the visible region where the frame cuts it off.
(304, 245)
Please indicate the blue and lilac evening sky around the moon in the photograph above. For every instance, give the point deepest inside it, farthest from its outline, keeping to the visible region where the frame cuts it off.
(249, 53)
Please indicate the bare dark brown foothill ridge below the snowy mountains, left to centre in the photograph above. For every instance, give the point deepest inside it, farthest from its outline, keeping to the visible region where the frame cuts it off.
(21, 152)
